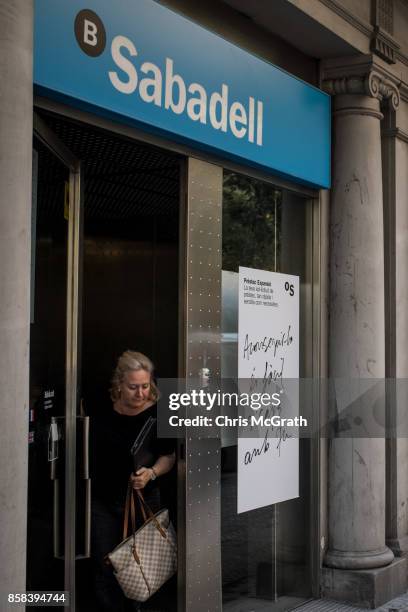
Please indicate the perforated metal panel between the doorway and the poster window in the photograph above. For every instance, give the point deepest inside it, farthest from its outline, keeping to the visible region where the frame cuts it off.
(203, 349)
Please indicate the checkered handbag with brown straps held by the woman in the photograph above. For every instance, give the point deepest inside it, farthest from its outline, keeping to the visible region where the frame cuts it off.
(148, 557)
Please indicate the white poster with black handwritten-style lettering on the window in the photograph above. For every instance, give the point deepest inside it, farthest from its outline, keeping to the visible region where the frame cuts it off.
(268, 351)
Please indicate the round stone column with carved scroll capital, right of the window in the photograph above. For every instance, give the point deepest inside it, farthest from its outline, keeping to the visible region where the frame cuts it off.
(356, 333)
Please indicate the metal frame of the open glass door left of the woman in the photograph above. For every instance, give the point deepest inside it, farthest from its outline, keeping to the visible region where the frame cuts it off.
(58, 148)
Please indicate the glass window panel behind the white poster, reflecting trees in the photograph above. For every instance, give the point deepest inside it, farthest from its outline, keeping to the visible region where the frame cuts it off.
(265, 552)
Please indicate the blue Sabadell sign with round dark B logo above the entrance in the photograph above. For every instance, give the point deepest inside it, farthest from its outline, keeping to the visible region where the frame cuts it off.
(140, 63)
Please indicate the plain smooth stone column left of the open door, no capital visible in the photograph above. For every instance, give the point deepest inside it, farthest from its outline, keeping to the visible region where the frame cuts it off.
(16, 24)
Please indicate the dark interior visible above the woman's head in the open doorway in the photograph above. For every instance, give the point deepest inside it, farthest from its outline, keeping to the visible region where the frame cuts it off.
(130, 250)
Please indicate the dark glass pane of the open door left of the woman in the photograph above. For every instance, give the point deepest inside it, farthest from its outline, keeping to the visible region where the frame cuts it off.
(45, 537)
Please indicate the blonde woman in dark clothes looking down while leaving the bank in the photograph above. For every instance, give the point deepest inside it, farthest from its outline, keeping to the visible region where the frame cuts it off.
(134, 396)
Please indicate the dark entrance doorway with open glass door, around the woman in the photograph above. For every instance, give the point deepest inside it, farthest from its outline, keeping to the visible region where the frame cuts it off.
(105, 276)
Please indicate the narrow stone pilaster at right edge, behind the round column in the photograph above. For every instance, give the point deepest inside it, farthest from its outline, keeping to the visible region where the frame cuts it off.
(395, 162)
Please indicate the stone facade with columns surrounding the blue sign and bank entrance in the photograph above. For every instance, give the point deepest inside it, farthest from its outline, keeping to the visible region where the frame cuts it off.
(357, 51)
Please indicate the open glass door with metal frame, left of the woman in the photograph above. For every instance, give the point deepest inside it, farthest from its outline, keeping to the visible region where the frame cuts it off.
(52, 533)
